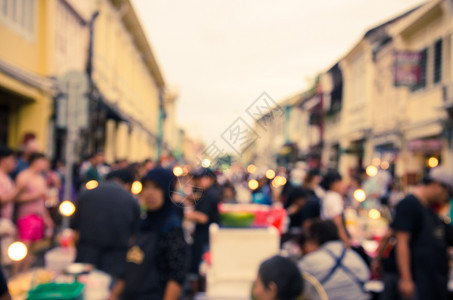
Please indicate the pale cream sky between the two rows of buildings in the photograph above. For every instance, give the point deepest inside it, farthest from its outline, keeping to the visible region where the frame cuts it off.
(221, 55)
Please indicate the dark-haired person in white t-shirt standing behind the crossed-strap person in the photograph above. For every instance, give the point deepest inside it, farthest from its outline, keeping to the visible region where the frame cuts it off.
(332, 204)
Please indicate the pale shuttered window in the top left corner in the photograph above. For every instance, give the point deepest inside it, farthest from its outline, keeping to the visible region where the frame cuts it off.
(19, 15)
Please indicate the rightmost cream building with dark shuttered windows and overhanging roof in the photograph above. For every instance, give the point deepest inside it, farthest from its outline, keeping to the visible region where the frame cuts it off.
(427, 32)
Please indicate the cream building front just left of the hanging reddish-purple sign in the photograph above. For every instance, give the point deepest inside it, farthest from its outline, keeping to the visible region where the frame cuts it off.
(369, 113)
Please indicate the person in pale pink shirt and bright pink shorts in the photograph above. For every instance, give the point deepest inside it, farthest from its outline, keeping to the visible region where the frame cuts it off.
(32, 216)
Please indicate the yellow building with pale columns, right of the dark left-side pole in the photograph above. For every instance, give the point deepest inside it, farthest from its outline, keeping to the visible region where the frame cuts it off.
(129, 81)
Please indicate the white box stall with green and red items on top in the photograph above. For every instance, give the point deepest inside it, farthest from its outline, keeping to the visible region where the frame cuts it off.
(248, 234)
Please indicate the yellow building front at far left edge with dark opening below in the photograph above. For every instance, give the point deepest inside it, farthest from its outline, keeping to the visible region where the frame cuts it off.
(26, 60)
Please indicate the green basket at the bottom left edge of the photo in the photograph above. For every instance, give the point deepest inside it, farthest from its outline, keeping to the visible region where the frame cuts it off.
(57, 291)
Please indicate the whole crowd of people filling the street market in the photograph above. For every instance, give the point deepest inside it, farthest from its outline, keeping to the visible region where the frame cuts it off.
(152, 242)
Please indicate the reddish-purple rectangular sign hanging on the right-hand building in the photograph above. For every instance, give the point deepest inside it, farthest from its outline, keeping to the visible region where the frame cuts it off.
(407, 71)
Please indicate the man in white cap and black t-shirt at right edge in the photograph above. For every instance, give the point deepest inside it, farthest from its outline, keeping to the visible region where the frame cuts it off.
(421, 247)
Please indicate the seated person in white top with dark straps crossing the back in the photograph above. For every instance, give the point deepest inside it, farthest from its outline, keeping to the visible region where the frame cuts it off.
(340, 270)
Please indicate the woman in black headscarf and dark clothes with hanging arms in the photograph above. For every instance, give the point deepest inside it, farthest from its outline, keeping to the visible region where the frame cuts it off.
(156, 264)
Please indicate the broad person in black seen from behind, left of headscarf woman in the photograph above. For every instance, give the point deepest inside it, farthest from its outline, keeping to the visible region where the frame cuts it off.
(106, 218)
